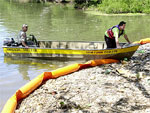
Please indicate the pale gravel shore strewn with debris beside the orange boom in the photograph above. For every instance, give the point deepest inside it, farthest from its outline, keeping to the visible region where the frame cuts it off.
(112, 88)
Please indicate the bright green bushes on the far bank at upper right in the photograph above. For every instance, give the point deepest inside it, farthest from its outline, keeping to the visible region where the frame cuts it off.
(118, 6)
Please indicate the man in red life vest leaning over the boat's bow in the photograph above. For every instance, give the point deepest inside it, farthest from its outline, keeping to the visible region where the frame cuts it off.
(111, 35)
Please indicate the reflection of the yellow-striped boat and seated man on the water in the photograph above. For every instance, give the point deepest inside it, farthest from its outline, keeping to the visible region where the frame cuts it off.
(24, 65)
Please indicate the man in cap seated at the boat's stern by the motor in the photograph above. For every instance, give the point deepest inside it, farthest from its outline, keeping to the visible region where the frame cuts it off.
(25, 41)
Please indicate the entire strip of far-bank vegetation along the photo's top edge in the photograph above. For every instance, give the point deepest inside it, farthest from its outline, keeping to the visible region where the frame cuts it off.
(105, 6)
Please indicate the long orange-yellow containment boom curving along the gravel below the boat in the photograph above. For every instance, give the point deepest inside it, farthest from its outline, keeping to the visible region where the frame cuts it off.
(24, 91)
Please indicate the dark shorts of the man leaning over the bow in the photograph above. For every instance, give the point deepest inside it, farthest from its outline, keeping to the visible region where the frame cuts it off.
(111, 43)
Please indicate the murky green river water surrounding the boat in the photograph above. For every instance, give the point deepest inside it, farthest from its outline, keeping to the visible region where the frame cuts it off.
(53, 22)
